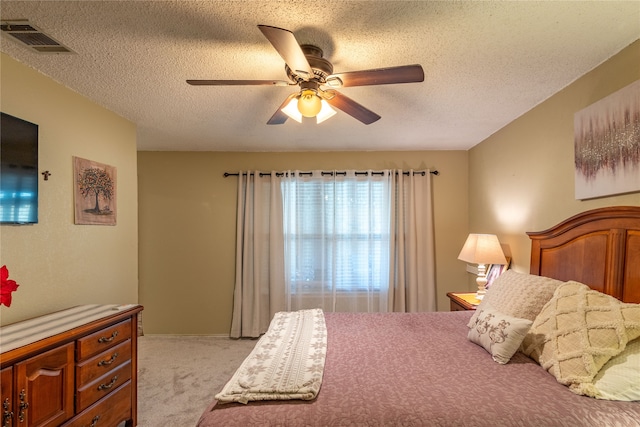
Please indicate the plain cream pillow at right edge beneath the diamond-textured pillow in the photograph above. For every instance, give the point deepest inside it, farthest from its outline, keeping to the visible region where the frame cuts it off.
(619, 378)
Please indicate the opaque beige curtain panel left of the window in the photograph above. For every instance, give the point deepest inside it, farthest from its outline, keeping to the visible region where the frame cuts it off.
(259, 286)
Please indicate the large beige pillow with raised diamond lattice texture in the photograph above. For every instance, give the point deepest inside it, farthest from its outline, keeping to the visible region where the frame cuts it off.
(578, 331)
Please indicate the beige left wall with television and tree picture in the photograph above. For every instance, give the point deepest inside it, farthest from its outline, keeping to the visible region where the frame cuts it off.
(56, 263)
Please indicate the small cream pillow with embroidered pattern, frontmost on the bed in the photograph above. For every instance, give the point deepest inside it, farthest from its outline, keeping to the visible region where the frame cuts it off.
(499, 334)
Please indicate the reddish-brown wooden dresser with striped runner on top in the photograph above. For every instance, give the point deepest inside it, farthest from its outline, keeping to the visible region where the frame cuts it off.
(76, 367)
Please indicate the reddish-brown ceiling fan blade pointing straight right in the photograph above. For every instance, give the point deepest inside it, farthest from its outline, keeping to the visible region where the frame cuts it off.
(380, 76)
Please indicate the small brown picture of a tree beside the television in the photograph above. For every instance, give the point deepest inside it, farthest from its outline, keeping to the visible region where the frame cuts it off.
(95, 192)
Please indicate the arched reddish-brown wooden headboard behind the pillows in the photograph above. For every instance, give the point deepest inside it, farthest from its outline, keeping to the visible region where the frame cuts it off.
(600, 248)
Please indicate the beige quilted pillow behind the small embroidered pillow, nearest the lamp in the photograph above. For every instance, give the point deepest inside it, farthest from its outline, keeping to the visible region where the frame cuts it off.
(518, 295)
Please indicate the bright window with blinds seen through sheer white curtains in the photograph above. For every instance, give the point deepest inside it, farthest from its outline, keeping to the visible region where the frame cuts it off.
(336, 232)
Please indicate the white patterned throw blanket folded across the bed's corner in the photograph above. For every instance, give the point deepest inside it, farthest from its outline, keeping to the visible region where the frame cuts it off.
(286, 363)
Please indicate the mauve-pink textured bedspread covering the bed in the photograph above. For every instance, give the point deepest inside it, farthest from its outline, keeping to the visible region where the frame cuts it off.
(397, 369)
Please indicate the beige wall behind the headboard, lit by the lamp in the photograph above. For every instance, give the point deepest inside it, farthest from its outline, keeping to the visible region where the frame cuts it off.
(522, 177)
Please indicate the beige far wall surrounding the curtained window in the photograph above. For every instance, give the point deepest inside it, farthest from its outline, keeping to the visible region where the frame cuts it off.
(187, 227)
